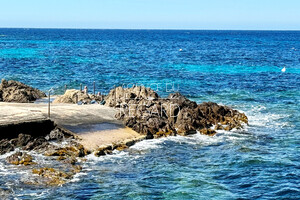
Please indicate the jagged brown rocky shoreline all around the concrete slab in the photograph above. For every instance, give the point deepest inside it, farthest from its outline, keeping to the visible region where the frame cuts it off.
(139, 108)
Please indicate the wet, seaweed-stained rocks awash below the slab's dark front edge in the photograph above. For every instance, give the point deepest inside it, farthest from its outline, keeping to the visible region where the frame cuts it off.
(62, 156)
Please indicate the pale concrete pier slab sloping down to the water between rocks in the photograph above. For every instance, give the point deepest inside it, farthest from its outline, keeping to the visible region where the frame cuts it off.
(95, 125)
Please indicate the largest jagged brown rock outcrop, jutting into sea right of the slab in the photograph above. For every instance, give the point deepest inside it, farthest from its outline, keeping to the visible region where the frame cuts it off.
(142, 110)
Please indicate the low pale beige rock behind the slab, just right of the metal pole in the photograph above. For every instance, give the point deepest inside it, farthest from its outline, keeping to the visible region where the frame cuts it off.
(75, 96)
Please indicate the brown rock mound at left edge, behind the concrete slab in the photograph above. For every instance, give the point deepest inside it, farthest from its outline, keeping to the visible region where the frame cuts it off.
(14, 91)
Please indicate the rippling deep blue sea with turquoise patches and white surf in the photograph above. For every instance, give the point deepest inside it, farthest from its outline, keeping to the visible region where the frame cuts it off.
(241, 69)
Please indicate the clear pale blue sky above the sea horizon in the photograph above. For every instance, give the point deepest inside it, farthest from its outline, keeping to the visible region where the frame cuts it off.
(152, 14)
